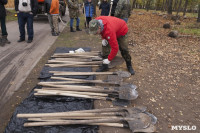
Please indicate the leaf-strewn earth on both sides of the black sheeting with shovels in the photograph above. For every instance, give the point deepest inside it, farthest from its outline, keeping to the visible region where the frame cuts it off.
(167, 69)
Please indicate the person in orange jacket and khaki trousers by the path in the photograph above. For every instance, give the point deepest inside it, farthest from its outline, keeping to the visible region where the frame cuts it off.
(53, 14)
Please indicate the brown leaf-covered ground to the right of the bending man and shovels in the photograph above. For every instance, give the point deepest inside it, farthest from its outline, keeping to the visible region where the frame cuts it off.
(167, 71)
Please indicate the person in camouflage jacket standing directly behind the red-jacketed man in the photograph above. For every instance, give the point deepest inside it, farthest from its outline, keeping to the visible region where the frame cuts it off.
(123, 10)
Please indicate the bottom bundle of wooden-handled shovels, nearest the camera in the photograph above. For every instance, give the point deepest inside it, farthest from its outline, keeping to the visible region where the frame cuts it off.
(136, 118)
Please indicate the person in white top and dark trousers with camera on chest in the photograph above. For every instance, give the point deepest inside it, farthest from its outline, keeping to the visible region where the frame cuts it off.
(26, 10)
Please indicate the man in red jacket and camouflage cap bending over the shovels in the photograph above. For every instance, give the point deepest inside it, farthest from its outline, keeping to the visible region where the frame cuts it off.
(114, 33)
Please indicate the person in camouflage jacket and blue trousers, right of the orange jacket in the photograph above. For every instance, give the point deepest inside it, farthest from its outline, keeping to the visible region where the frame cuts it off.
(74, 13)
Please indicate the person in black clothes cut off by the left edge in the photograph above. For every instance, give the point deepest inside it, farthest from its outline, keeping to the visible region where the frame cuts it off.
(4, 39)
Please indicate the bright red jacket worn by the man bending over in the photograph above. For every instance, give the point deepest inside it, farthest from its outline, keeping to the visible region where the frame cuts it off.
(113, 29)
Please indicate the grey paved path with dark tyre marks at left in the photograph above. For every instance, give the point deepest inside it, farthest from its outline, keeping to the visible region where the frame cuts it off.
(18, 59)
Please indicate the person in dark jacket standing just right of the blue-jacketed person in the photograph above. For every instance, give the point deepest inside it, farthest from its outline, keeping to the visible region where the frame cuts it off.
(105, 8)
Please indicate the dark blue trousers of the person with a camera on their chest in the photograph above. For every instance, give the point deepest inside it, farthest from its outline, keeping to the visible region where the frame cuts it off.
(24, 18)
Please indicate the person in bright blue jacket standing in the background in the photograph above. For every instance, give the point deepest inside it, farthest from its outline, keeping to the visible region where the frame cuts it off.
(89, 11)
